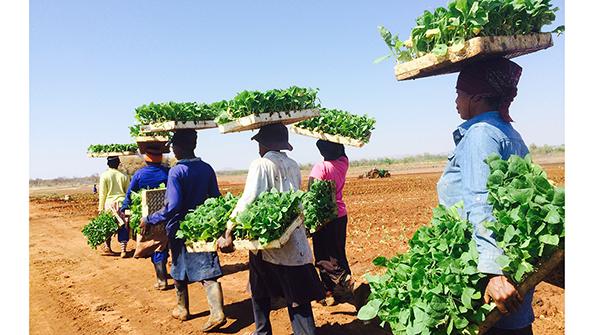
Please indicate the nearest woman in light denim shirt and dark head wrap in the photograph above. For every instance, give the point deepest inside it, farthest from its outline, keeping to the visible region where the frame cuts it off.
(485, 91)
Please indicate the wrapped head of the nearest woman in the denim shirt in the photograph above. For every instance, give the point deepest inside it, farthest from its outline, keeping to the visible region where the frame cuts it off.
(487, 86)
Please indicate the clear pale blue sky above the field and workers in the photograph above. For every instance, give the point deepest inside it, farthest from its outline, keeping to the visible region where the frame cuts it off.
(93, 62)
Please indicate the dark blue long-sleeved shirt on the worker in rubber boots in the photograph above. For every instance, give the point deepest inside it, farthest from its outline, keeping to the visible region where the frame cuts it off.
(189, 183)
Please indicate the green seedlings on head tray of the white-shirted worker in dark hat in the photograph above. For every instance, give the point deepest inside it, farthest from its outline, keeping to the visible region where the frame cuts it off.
(273, 101)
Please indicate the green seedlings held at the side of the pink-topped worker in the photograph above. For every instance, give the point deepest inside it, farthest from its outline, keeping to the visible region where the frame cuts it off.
(319, 204)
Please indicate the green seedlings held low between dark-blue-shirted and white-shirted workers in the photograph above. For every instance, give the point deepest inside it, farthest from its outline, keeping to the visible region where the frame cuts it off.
(208, 221)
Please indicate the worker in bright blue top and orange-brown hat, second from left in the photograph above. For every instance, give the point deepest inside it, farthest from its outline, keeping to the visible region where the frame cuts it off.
(151, 176)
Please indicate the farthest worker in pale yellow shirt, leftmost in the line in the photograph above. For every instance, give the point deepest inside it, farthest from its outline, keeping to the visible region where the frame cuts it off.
(112, 189)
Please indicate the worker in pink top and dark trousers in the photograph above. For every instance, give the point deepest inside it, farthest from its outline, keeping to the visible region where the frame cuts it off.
(329, 241)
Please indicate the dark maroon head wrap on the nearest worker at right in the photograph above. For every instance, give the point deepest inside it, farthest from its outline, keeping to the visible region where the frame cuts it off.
(492, 78)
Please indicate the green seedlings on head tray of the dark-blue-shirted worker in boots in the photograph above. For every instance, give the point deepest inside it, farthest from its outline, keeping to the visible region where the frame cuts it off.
(175, 111)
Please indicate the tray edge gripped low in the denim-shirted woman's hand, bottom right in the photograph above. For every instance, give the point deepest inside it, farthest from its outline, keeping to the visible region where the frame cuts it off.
(530, 282)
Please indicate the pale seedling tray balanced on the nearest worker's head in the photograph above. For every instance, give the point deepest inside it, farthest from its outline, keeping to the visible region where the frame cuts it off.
(474, 49)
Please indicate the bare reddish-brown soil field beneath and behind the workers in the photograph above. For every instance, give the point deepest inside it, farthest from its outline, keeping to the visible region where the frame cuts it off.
(74, 289)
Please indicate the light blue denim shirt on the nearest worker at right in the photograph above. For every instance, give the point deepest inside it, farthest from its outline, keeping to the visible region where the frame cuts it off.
(465, 178)
